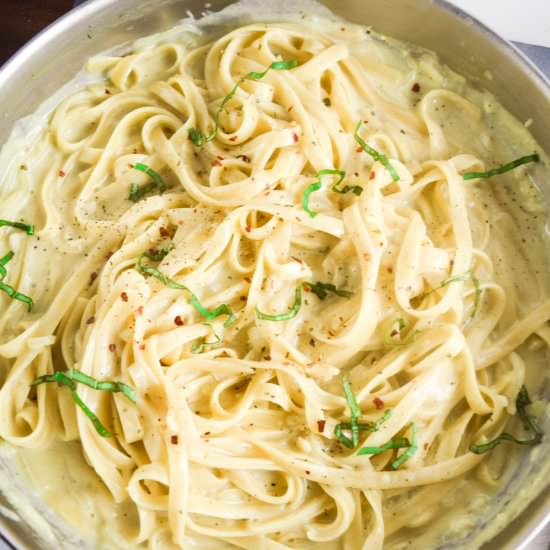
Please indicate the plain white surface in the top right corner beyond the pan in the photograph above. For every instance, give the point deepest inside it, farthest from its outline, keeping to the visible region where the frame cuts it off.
(519, 20)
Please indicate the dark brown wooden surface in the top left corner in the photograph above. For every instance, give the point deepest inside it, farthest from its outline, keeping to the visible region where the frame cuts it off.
(24, 18)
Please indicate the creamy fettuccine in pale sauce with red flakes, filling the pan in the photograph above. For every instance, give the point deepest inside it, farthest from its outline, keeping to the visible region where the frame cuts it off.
(437, 312)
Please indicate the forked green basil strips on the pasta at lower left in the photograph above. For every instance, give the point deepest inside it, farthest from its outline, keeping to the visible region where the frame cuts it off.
(71, 377)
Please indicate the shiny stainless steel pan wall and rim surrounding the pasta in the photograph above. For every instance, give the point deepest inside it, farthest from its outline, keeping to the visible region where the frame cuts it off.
(57, 54)
